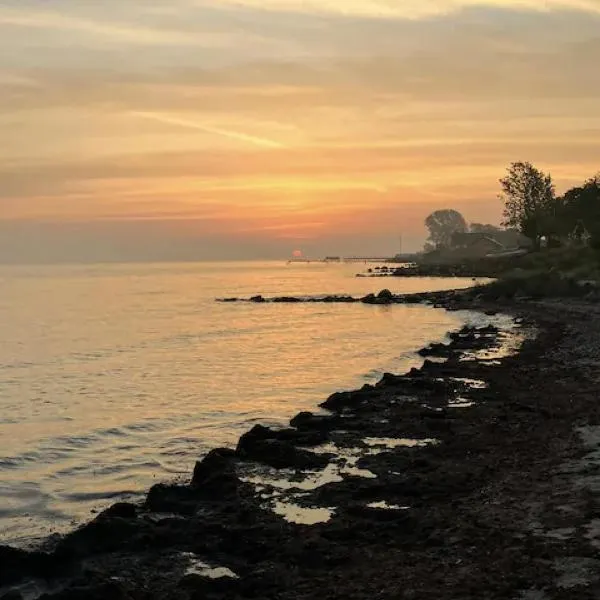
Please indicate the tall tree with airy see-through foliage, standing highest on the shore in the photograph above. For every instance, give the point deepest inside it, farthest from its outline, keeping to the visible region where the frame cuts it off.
(529, 201)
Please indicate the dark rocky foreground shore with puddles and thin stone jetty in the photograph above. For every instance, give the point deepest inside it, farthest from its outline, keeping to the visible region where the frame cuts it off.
(476, 476)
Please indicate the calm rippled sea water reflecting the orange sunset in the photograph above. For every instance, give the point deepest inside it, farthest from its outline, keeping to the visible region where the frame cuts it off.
(114, 377)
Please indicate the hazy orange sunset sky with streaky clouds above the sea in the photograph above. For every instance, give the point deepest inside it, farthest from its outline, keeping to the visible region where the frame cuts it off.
(247, 129)
